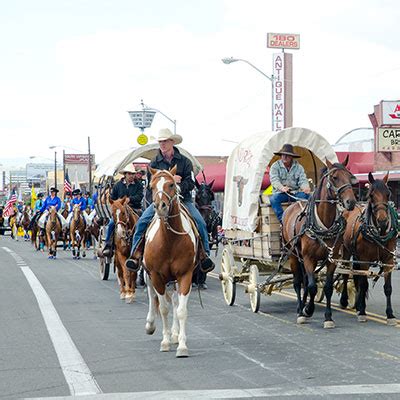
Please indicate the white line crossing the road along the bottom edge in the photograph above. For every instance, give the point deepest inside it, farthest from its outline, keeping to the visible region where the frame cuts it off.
(277, 392)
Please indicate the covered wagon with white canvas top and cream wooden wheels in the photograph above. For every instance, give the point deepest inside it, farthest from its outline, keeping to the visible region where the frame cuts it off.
(252, 231)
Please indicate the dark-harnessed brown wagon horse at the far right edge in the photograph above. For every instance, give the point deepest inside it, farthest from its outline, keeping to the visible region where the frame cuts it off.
(370, 238)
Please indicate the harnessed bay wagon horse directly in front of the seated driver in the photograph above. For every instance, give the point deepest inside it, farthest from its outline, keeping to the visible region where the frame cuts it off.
(313, 235)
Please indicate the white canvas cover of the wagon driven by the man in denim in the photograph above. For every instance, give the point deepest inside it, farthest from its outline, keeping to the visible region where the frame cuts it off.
(248, 162)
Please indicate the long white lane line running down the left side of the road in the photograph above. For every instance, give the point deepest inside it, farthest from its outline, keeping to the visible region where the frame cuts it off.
(77, 374)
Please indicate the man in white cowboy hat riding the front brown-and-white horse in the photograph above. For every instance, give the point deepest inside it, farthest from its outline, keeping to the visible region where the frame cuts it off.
(168, 156)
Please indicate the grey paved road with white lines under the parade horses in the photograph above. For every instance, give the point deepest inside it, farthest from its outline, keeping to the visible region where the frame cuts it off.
(64, 331)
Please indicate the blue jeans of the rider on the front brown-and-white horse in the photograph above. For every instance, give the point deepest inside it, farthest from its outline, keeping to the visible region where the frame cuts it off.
(148, 215)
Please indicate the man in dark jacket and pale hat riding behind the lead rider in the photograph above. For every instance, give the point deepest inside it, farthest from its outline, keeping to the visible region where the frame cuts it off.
(128, 186)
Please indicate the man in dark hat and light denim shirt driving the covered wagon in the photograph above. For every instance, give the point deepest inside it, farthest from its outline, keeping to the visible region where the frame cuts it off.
(288, 179)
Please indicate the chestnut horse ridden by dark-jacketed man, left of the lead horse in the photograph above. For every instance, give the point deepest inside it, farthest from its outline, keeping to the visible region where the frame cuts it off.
(125, 220)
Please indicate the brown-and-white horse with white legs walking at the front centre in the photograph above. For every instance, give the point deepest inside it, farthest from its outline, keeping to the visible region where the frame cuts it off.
(170, 254)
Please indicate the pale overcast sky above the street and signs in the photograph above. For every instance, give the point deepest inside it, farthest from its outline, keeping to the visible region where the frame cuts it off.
(72, 69)
